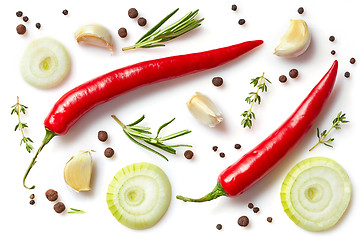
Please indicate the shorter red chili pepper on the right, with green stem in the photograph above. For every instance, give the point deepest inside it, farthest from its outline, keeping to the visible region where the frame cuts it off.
(254, 165)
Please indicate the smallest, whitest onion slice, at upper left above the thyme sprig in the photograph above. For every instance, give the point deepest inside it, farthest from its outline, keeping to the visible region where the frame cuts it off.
(45, 63)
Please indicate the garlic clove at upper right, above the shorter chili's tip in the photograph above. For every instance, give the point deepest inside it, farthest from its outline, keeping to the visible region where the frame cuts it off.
(295, 41)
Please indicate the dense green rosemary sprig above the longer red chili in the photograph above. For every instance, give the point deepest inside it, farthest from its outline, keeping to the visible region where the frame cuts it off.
(155, 36)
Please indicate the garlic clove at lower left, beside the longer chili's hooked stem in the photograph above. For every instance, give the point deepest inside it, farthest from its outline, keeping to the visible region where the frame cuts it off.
(77, 172)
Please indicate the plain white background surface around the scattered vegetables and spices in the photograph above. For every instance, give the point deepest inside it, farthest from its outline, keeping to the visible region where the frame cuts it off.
(266, 20)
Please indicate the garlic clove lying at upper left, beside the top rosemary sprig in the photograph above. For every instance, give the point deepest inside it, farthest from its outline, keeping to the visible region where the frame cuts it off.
(96, 35)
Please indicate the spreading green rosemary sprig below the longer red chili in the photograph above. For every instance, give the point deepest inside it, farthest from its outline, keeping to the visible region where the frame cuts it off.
(133, 132)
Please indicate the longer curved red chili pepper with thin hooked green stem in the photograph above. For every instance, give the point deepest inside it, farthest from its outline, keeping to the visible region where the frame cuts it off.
(78, 101)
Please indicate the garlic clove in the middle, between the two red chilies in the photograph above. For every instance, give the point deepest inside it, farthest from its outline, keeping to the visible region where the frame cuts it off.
(204, 110)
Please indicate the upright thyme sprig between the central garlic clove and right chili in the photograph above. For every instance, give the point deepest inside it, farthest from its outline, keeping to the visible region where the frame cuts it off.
(260, 84)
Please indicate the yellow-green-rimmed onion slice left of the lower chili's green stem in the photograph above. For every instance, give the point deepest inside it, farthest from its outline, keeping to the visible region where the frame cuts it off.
(139, 195)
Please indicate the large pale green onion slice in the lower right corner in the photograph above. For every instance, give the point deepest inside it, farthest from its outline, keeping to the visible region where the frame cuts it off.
(316, 193)
